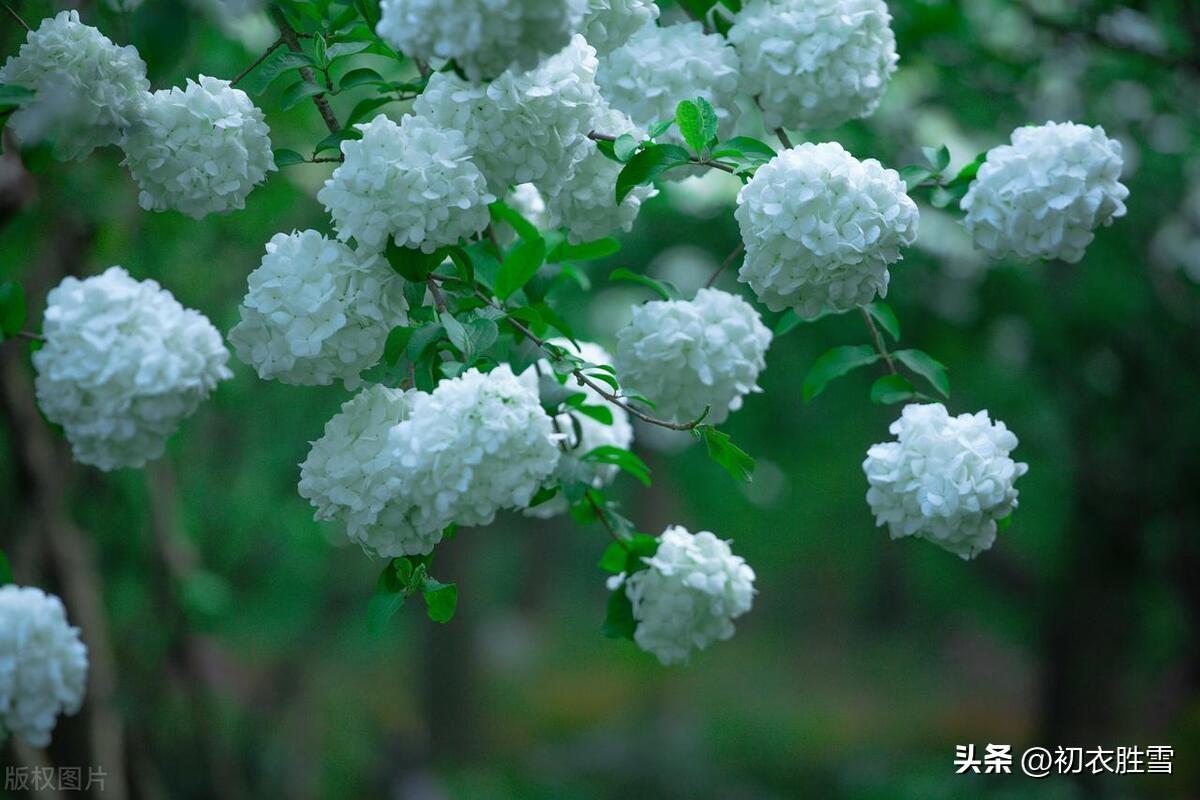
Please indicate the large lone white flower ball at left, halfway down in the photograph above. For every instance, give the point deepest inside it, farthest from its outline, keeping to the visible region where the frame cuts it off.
(123, 365)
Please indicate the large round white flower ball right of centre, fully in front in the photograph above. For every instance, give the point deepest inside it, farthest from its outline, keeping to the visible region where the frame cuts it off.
(821, 228)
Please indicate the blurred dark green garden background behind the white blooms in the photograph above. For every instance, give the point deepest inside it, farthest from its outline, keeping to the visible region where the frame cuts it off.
(229, 629)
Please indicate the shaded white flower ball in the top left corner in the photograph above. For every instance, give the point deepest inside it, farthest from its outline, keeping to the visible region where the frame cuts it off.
(88, 91)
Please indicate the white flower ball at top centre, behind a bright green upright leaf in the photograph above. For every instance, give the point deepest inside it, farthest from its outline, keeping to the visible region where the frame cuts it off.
(662, 67)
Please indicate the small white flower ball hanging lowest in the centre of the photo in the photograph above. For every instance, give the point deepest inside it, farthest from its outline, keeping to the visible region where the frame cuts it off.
(689, 597)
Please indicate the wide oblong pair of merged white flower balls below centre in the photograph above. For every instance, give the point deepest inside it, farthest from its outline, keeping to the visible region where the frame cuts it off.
(398, 468)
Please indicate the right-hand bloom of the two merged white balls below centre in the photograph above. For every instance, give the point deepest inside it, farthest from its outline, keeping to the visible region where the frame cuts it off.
(476, 446)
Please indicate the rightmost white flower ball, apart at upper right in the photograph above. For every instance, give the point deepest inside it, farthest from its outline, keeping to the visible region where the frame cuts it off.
(1042, 196)
